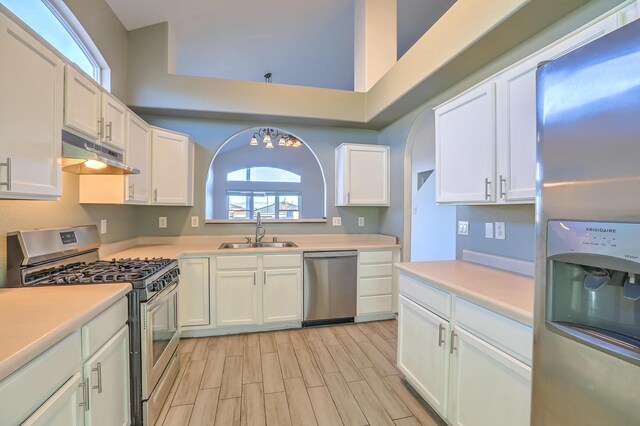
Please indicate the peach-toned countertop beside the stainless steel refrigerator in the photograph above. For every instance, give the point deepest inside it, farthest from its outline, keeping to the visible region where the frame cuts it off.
(504, 292)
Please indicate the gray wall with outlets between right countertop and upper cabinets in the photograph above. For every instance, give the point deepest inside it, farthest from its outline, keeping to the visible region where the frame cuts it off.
(519, 230)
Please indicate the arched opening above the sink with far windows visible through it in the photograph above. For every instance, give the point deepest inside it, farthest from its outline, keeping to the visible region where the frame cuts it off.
(281, 182)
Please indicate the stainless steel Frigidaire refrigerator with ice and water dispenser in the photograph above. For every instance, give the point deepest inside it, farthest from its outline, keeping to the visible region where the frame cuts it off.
(586, 362)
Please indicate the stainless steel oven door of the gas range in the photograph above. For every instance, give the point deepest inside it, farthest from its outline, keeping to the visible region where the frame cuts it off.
(160, 336)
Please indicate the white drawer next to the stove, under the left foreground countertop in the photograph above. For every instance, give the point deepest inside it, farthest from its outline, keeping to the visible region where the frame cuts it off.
(103, 327)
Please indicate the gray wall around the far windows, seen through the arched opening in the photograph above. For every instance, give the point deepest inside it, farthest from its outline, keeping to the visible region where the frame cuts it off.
(241, 155)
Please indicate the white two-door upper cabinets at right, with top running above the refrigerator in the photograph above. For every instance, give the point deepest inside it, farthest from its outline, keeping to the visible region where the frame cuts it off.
(476, 164)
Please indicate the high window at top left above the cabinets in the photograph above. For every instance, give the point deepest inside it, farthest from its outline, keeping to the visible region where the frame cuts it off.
(54, 22)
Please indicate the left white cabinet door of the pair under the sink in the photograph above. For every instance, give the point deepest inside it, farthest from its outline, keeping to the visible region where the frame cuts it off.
(236, 298)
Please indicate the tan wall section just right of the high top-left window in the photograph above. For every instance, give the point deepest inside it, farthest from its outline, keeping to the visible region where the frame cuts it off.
(109, 35)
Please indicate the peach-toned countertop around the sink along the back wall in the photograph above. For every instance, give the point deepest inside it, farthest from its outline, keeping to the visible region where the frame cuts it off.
(205, 245)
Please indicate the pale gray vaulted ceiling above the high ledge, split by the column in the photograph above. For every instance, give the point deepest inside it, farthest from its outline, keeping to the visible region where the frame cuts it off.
(302, 42)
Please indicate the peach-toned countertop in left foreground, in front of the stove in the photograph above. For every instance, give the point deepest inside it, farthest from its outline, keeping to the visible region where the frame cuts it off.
(34, 319)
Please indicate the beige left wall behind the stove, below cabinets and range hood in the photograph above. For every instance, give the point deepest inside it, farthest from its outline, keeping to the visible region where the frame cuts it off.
(22, 215)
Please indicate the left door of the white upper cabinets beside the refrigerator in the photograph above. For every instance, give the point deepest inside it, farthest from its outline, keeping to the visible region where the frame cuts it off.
(465, 147)
